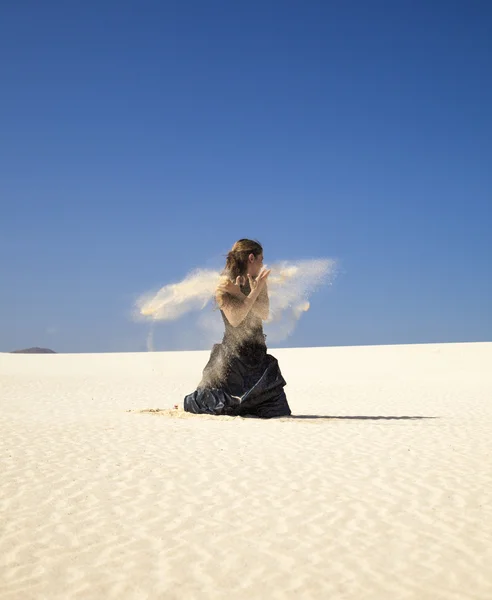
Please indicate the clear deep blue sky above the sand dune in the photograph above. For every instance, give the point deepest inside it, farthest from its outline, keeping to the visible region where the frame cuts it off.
(141, 139)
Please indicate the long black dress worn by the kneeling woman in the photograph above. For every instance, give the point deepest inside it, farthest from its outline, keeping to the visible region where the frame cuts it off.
(240, 378)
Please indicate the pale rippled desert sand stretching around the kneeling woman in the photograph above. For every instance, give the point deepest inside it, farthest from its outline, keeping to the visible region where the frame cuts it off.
(359, 502)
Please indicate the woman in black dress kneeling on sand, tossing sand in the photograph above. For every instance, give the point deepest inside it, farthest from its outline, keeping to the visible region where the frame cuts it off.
(240, 378)
